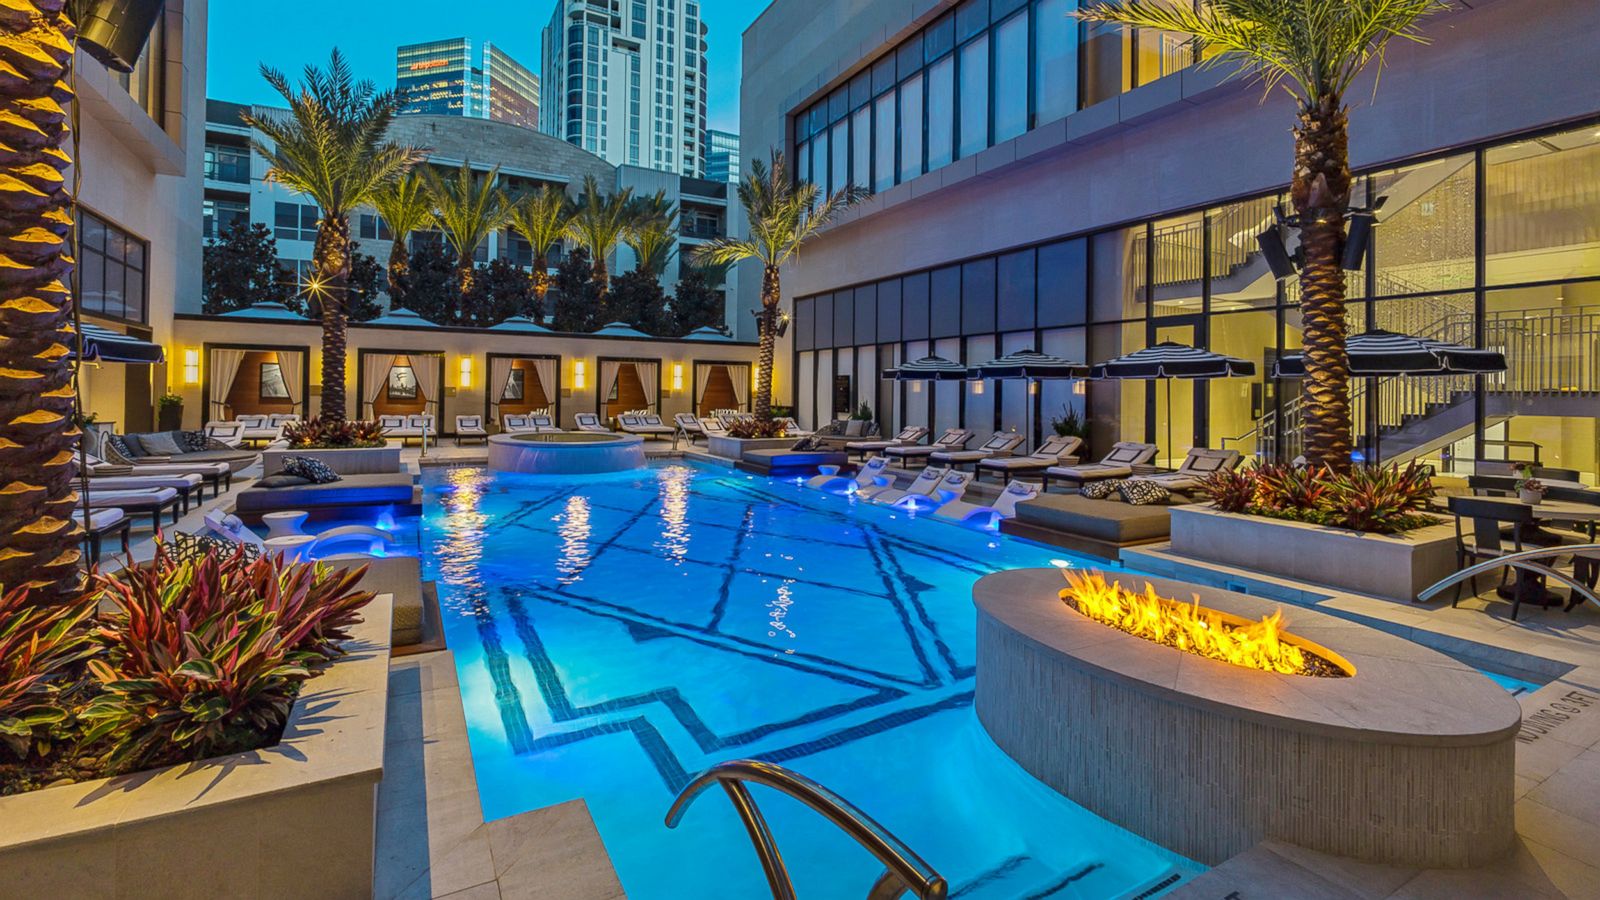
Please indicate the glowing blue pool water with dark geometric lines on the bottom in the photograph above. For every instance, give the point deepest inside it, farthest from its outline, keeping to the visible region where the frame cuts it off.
(617, 637)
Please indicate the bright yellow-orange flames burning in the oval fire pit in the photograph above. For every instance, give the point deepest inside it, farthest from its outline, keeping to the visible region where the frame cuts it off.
(1198, 630)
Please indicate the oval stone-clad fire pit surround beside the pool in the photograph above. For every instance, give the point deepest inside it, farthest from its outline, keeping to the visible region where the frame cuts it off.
(1410, 761)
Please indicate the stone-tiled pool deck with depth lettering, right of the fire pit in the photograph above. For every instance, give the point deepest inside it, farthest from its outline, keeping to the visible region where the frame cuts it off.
(1558, 753)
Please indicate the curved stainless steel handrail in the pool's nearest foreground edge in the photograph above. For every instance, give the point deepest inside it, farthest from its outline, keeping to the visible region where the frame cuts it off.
(905, 870)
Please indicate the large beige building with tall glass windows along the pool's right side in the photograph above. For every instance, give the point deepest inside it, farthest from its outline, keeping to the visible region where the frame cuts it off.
(1090, 191)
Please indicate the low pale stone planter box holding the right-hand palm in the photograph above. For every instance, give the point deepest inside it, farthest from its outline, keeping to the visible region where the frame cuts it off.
(1396, 568)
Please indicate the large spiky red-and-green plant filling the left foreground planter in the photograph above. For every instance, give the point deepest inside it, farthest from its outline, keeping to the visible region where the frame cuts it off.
(204, 657)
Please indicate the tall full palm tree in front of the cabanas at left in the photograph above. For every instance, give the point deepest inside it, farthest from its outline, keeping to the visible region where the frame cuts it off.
(332, 148)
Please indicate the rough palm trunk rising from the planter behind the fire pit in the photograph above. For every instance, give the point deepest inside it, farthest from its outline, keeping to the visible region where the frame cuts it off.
(1321, 193)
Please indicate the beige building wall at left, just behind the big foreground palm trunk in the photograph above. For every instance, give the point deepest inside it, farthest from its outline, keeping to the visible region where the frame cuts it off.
(140, 159)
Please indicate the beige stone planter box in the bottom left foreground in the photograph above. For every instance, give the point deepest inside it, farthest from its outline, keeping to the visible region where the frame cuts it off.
(297, 819)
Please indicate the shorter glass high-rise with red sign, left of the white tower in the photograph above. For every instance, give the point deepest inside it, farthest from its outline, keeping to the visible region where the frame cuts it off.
(460, 78)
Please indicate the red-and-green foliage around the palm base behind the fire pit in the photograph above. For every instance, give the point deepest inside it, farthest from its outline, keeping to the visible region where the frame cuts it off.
(1367, 499)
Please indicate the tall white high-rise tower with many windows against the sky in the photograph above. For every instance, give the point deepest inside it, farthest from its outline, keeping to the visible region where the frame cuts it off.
(628, 82)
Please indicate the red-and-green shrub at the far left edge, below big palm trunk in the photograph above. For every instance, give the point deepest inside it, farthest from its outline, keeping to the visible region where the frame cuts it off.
(39, 653)
